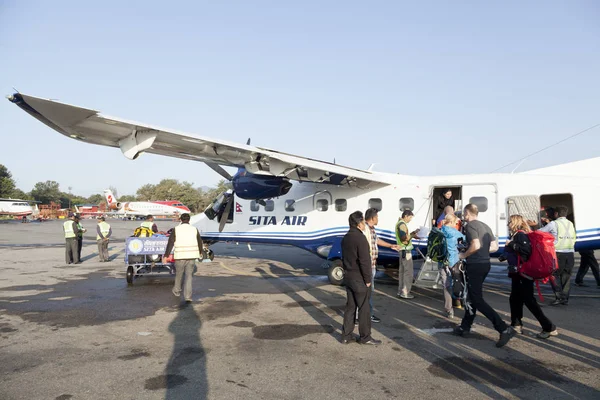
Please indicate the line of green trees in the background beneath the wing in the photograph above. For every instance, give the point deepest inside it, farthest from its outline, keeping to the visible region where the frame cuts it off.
(195, 198)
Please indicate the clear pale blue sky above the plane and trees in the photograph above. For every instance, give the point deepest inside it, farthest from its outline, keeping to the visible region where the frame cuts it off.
(410, 86)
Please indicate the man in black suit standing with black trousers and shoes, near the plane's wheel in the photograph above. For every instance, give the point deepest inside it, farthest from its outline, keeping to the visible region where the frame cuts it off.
(356, 260)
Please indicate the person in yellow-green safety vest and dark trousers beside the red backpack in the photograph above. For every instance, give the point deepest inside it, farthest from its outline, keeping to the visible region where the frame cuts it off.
(565, 236)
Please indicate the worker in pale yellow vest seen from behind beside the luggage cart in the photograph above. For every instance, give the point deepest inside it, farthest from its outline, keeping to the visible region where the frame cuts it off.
(188, 248)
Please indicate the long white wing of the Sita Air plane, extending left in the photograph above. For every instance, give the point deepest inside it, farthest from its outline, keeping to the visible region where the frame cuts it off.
(133, 138)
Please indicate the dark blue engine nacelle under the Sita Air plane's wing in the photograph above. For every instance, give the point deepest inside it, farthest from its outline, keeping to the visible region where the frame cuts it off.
(256, 187)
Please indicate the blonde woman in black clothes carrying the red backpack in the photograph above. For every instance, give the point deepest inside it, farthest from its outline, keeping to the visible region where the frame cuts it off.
(518, 250)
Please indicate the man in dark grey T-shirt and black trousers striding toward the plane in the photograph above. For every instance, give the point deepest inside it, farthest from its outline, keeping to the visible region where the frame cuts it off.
(481, 242)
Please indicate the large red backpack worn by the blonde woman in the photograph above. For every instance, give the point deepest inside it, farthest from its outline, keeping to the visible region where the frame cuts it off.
(542, 263)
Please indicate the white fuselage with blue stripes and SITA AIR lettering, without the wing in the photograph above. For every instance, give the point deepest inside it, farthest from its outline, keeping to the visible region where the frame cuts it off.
(315, 216)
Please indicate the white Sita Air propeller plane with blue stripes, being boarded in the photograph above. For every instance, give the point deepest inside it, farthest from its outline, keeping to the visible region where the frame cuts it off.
(281, 198)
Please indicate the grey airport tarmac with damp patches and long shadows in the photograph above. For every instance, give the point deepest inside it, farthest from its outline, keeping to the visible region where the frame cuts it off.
(264, 324)
